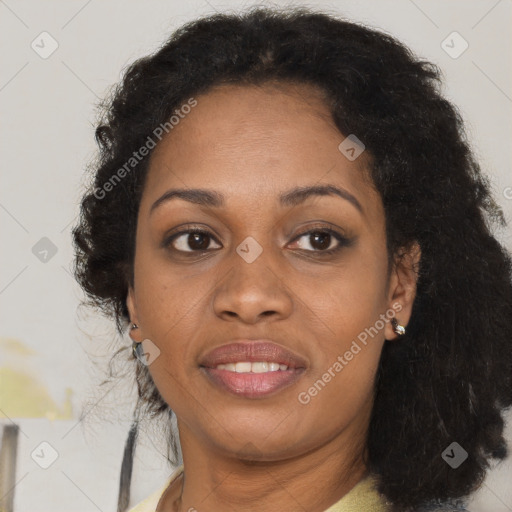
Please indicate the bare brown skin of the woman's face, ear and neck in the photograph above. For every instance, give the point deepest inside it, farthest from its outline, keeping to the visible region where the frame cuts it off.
(251, 144)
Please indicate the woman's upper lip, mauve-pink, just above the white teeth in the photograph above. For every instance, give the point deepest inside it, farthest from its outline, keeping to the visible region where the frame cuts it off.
(253, 351)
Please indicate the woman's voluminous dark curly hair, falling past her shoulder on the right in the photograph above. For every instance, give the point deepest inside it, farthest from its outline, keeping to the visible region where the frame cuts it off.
(449, 378)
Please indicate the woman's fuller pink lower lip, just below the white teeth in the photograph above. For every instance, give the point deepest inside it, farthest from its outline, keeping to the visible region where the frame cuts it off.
(253, 385)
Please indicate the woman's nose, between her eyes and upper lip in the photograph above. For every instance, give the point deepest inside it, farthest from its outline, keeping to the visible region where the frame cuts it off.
(253, 292)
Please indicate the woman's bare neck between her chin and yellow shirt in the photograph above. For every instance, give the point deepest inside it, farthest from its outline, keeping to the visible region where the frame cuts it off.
(246, 482)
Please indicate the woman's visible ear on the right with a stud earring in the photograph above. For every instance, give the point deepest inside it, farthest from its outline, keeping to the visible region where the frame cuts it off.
(402, 286)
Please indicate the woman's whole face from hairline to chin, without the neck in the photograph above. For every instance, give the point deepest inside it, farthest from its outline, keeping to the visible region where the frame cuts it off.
(264, 269)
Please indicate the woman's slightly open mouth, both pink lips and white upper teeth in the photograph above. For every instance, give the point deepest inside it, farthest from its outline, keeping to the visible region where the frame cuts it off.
(252, 368)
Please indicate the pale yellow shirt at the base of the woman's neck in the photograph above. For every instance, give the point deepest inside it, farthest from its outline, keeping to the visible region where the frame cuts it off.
(363, 496)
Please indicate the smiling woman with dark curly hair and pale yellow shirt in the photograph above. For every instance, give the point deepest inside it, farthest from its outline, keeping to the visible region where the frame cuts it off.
(289, 222)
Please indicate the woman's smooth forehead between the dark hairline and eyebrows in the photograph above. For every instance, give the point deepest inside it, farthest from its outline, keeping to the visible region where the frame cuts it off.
(257, 140)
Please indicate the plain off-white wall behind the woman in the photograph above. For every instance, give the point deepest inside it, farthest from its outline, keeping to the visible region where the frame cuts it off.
(48, 116)
